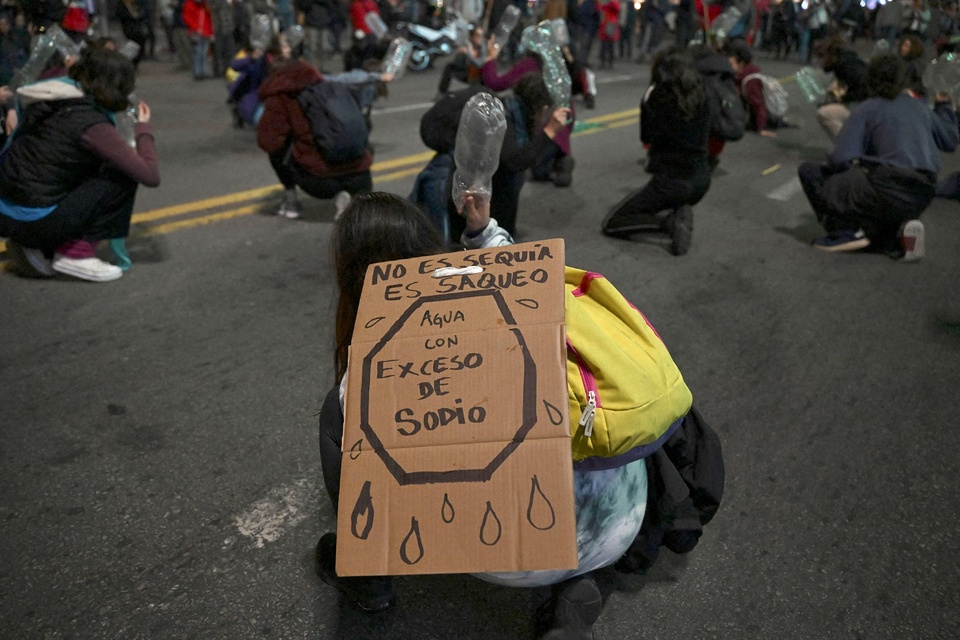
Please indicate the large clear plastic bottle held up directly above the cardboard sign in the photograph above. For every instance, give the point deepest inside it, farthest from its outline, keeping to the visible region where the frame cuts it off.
(477, 152)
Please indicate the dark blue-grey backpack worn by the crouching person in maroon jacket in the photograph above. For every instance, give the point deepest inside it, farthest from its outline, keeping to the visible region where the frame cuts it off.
(336, 121)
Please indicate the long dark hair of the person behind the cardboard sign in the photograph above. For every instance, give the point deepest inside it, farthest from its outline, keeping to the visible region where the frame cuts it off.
(375, 227)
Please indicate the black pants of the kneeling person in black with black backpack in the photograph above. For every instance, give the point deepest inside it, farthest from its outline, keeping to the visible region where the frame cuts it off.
(664, 191)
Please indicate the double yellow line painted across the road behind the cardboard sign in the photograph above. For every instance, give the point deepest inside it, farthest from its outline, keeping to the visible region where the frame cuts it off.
(201, 212)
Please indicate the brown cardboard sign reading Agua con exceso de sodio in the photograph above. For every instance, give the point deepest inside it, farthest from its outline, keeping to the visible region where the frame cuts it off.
(456, 439)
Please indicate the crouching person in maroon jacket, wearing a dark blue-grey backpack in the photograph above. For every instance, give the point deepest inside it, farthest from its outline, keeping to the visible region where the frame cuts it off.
(285, 134)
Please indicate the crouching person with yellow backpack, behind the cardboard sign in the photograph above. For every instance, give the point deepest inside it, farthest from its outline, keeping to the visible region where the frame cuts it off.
(616, 525)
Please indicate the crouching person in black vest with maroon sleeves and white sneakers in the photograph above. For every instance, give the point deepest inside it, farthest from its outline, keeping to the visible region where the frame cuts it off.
(68, 178)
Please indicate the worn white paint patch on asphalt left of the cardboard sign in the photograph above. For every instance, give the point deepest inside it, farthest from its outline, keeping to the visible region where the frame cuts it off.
(281, 509)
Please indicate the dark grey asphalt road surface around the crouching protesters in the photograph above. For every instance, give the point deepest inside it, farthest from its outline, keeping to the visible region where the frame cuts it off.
(158, 459)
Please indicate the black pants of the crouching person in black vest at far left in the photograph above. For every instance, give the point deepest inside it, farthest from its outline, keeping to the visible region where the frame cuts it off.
(99, 209)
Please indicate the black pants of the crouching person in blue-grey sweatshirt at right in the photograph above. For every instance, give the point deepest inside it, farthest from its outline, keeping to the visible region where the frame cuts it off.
(877, 199)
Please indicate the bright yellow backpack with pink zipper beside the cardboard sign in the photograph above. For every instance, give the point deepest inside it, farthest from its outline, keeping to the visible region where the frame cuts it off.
(625, 391)
